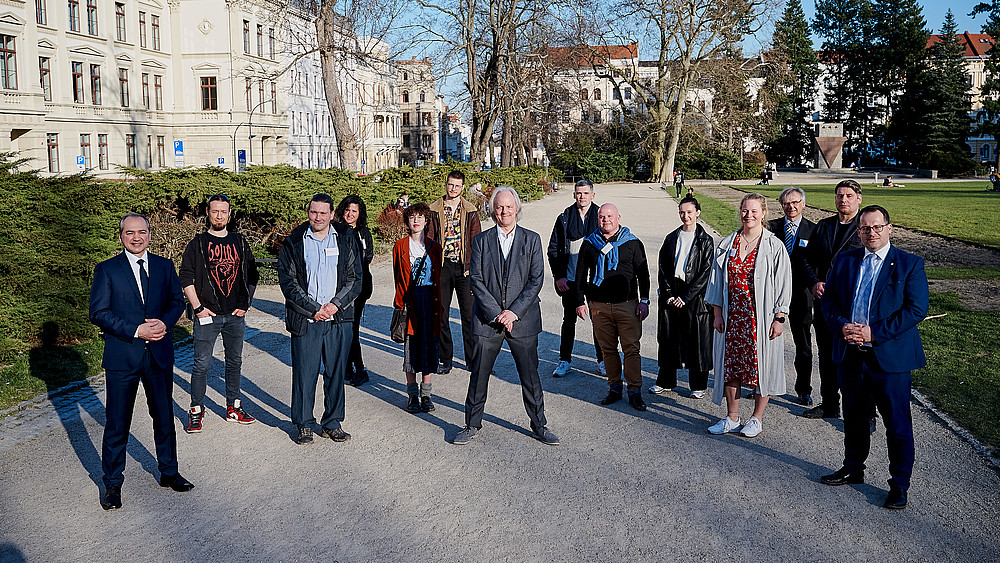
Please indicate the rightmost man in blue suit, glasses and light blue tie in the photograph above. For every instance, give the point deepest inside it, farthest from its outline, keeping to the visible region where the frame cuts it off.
(874, 298)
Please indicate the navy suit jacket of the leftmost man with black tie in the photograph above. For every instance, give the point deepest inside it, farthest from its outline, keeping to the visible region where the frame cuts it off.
(117, 308)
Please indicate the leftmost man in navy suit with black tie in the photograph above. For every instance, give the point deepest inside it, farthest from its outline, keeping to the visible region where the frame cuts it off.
(135, 300)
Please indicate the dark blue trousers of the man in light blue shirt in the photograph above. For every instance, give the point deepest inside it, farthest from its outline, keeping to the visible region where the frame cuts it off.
(323, 345)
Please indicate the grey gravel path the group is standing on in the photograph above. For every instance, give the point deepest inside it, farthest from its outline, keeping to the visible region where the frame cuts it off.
(622, 486)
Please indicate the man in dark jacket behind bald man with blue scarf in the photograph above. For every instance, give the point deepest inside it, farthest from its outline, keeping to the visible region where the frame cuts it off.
(568, 235)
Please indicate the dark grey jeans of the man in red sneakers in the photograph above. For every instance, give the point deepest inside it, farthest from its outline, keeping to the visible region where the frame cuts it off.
(232, 329)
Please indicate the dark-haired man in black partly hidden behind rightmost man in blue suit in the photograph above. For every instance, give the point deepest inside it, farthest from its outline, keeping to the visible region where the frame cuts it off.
(831, 236)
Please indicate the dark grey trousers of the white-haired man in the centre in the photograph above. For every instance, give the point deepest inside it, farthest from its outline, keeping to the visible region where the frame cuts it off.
(484, 356)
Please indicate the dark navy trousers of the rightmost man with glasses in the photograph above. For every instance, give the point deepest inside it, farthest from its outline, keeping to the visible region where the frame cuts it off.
(866, 387)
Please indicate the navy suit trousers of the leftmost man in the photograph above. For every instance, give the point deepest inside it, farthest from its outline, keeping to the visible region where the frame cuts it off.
(122, 386)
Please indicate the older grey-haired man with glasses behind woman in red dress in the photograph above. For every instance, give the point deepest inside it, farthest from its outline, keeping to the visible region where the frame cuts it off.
(795, 230)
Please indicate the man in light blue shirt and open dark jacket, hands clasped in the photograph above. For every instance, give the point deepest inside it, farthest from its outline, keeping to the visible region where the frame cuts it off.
(320, 276)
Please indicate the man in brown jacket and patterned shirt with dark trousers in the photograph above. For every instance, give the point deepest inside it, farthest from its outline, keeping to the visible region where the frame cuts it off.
(453, 221)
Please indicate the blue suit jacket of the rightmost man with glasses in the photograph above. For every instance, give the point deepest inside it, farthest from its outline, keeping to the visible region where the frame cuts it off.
(899, 302)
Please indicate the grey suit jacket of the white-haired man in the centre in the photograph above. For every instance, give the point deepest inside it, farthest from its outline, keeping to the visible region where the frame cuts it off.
(518, 293)
